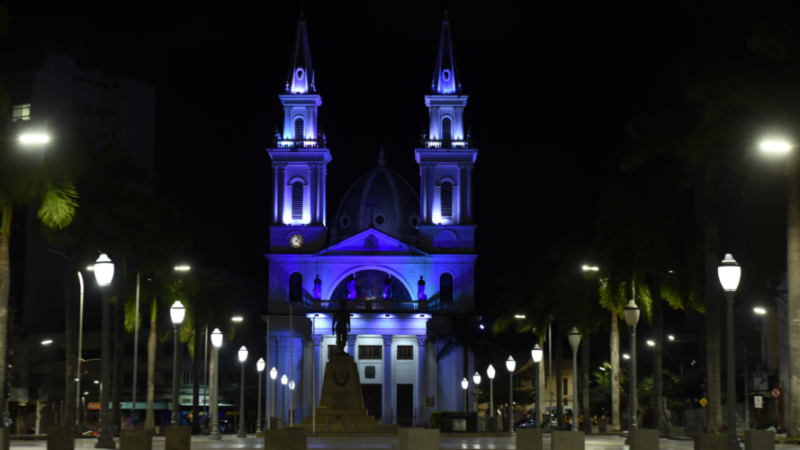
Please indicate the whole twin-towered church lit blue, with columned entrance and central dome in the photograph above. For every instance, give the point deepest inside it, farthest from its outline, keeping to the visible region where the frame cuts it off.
(399, 261)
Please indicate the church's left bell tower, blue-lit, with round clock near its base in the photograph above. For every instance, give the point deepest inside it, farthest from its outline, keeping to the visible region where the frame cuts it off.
(299, 160)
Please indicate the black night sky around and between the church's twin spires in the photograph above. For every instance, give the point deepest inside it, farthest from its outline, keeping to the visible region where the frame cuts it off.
(551, 86)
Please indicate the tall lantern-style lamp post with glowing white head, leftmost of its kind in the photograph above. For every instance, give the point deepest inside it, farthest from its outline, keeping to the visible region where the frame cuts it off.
(104, 274)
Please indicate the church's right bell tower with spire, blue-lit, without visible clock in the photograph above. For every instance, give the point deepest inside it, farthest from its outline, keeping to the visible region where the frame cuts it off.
(446, 160)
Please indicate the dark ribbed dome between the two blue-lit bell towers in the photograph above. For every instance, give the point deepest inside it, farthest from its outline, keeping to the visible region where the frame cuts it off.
(395, 211)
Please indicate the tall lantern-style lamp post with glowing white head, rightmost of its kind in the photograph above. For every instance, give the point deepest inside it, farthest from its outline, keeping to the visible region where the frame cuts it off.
(729, 275)
